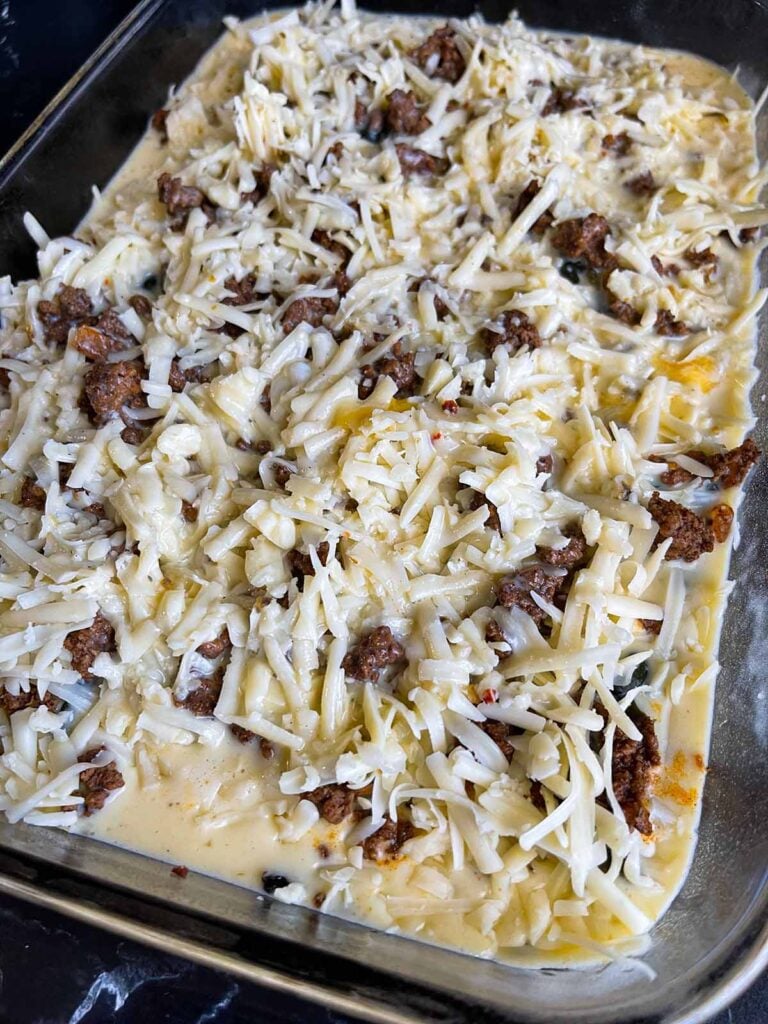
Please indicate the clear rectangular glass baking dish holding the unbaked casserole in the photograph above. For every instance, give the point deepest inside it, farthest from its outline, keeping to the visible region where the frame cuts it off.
(714, 941)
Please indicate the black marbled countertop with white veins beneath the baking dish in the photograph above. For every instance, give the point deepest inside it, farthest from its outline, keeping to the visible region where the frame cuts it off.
(54, 970)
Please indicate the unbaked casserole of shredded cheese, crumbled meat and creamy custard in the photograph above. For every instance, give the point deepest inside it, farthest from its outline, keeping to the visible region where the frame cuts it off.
(370, 459)
